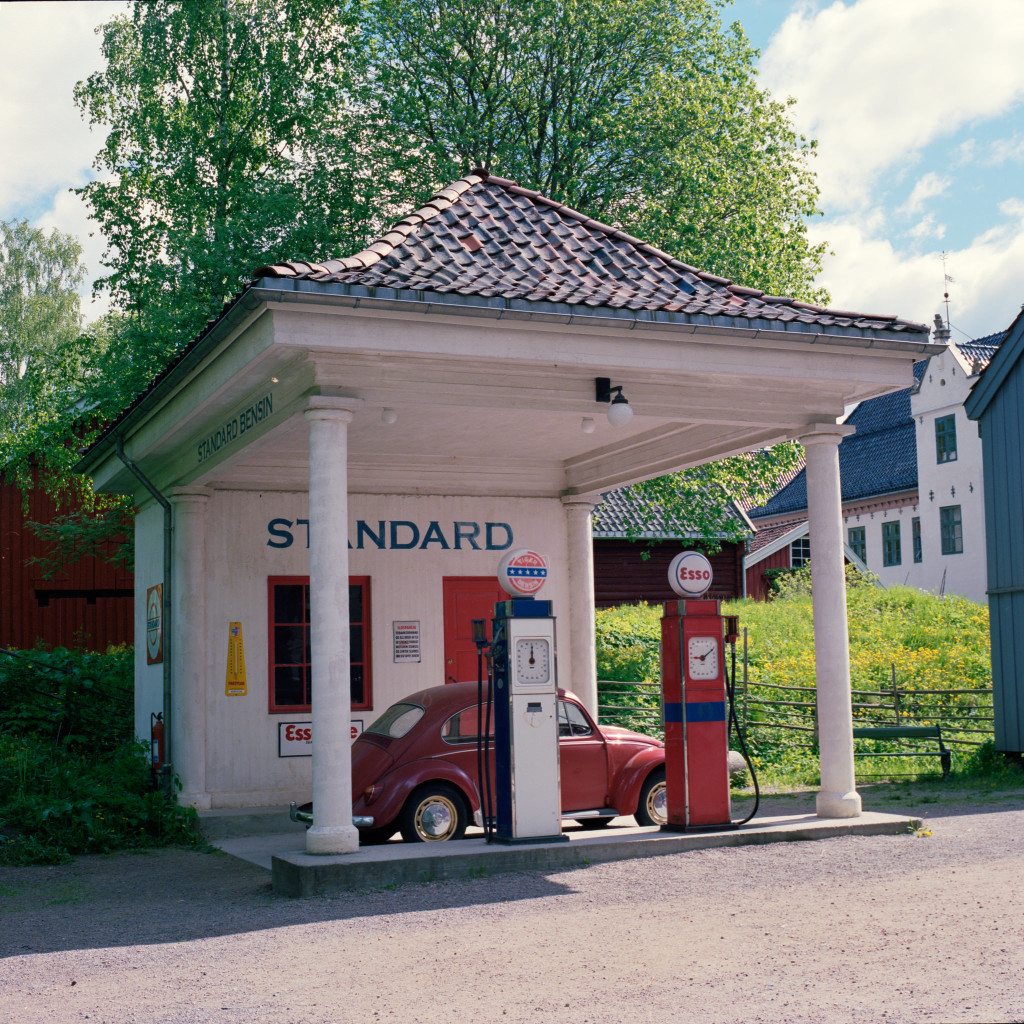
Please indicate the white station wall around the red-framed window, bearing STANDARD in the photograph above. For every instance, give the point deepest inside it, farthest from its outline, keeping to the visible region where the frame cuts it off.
(242, 762)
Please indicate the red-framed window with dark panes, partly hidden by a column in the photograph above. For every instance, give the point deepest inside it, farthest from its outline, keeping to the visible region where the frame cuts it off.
(290, 668)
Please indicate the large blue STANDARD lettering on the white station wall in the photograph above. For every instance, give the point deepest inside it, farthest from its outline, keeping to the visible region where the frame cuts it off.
(403, 535)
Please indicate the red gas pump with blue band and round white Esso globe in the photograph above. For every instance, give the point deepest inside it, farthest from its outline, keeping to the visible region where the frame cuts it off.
(697, 735)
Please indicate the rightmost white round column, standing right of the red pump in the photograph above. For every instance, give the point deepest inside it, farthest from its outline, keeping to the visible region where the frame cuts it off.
(838, 797)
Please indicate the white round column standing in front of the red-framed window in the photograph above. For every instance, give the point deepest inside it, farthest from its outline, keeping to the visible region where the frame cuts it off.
(332, 831)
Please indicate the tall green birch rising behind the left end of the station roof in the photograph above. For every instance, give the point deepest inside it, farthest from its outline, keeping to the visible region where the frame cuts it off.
(232, 143)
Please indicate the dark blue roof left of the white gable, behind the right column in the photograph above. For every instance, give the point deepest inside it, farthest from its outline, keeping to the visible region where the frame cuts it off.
(880, 458)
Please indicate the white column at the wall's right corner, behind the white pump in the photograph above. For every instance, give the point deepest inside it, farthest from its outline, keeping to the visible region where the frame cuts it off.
(583, 654)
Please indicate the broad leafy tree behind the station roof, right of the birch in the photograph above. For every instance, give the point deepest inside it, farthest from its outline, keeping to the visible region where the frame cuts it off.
(644, 113)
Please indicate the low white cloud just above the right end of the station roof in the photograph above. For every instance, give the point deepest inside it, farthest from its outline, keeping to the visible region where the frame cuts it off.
(868, 274)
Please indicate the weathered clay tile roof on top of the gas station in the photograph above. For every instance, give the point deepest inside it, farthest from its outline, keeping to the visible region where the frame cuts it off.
(488, 237)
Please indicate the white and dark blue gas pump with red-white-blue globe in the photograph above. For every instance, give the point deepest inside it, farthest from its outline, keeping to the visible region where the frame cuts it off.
(525, 690)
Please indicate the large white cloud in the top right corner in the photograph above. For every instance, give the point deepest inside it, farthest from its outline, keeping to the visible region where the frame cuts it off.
(878, 80)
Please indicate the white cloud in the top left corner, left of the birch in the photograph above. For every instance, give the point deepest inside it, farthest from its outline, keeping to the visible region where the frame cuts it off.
(46, 50)
